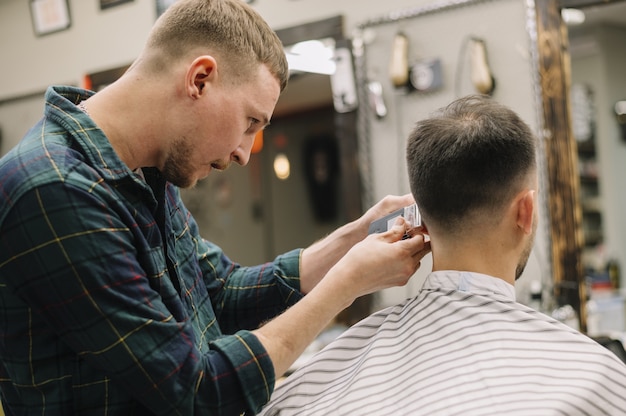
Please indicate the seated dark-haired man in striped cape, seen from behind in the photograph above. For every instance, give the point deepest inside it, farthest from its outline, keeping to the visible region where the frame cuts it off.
(463, 345)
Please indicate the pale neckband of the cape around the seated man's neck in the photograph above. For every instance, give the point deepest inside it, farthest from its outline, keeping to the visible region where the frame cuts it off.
(475, 283)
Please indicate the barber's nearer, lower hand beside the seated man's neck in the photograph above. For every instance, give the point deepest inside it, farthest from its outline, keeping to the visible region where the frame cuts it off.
(380, 261)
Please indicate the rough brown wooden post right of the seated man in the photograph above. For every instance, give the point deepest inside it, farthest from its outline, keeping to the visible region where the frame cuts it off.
(563, 184)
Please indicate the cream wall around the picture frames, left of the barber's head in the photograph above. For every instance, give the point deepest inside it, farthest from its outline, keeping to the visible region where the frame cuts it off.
(95, 41)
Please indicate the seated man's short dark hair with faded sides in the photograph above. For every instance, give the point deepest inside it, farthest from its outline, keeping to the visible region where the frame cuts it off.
(471, 157)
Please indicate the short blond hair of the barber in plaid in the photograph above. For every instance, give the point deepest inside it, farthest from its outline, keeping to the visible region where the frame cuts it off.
(230, 30)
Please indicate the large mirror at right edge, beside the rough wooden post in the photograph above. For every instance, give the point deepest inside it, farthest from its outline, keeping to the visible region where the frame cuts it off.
(596, 39)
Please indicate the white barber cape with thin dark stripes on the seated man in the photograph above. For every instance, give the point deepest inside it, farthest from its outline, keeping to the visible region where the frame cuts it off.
(462, 346)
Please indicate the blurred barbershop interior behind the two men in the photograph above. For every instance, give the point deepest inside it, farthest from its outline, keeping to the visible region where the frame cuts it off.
(361, 73)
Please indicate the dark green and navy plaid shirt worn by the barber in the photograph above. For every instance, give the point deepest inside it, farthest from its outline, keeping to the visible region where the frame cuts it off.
(110, 301)
